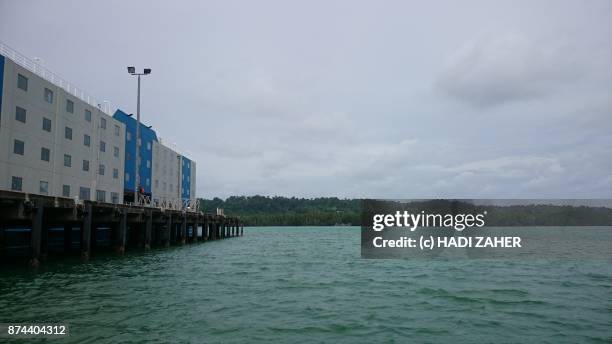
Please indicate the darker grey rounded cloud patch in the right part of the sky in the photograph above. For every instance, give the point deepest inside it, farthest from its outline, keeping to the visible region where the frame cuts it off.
(508, 68)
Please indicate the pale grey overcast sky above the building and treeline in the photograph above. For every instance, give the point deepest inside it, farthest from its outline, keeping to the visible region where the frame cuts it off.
(397, 99)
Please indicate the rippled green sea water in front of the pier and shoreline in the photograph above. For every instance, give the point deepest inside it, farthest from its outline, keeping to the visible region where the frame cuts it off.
(287, 285)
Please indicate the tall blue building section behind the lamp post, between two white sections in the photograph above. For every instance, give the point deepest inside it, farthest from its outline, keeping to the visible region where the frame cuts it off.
(147, 137)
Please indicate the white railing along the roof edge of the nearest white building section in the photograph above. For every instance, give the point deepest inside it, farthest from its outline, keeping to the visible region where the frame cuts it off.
(55, 79)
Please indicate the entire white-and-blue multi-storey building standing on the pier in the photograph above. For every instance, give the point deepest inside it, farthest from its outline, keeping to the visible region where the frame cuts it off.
(55, 140)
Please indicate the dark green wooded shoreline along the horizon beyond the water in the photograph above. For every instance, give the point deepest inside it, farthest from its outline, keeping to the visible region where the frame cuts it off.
(329, 211)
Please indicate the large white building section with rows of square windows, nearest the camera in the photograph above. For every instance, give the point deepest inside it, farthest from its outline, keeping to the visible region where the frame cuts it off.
(52, 142)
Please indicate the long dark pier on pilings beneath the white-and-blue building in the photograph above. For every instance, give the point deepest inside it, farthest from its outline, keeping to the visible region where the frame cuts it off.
(126, 226)
